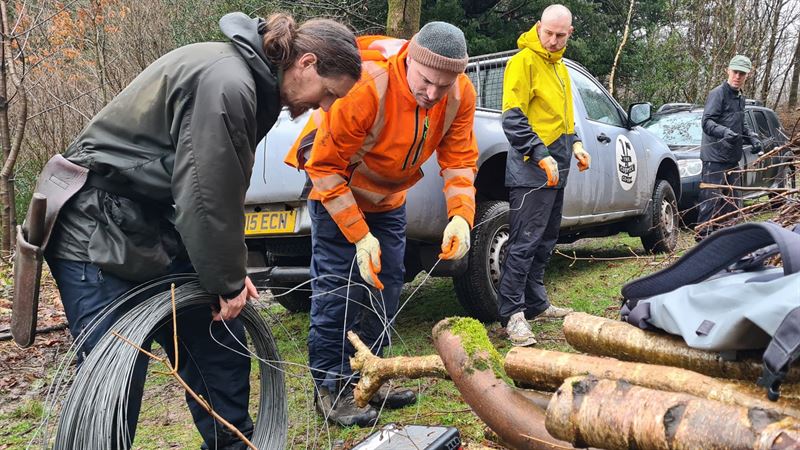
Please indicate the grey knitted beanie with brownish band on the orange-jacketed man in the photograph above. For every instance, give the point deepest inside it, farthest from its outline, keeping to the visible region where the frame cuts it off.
(440, 45)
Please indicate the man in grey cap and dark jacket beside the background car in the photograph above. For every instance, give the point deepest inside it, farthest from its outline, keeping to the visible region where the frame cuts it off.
(724, 128)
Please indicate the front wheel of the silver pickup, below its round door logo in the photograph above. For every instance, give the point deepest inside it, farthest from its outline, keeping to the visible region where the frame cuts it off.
(663, 234)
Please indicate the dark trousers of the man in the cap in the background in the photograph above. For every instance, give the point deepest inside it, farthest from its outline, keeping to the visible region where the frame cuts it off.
(717, 202)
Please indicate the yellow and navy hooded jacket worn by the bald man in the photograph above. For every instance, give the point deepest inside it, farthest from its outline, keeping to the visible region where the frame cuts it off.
(537, 112)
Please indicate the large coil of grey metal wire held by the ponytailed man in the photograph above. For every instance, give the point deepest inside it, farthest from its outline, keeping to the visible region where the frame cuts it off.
(90, 414)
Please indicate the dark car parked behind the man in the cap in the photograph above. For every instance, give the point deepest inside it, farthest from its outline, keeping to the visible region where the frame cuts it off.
(679, 126)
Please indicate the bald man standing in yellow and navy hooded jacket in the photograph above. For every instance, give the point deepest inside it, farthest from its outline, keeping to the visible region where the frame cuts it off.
(538, 122)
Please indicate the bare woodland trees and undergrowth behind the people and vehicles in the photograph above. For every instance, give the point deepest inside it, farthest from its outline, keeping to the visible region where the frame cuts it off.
(61, 62)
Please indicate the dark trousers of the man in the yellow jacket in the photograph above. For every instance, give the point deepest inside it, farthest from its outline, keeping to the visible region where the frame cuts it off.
(535, 219)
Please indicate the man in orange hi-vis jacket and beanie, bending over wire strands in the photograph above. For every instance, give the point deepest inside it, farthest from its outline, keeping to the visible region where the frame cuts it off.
(413, 99)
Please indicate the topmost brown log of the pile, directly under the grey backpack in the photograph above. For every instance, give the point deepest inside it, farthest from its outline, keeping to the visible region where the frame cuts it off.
(600, 336)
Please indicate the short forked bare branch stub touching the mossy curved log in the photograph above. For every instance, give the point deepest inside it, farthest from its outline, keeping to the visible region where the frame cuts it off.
(375, 371)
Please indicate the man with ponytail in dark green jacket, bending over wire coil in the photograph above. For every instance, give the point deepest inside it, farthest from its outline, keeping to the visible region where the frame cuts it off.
(169, 162)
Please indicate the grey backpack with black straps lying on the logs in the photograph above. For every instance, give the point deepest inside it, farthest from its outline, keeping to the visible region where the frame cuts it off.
(721, 296)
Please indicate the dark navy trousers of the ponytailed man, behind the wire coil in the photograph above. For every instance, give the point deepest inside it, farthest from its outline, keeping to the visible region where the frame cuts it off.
(211, 370)
